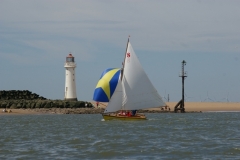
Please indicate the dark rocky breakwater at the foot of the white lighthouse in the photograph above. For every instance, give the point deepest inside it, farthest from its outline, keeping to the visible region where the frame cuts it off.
(24, 99)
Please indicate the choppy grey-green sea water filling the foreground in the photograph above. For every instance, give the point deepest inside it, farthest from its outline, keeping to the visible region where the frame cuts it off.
(87, 136)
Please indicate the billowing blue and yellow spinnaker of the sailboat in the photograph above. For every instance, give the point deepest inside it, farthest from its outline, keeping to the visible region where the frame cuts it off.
(106, 85)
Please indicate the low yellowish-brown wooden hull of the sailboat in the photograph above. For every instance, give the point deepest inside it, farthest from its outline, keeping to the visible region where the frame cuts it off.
(113, 116)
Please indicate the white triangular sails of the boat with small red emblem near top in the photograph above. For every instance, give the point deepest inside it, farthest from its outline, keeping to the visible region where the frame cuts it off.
(135, 90)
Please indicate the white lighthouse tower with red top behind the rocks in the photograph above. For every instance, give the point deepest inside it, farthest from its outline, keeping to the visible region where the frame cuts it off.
(70, 81)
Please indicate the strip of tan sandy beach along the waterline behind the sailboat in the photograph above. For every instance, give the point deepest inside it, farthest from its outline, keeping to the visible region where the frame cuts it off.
(189, 107)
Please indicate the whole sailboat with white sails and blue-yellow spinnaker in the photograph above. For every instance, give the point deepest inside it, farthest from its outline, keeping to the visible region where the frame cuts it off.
(126, 90)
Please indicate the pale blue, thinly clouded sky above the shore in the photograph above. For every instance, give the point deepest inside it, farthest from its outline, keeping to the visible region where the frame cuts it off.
(36, 37)
